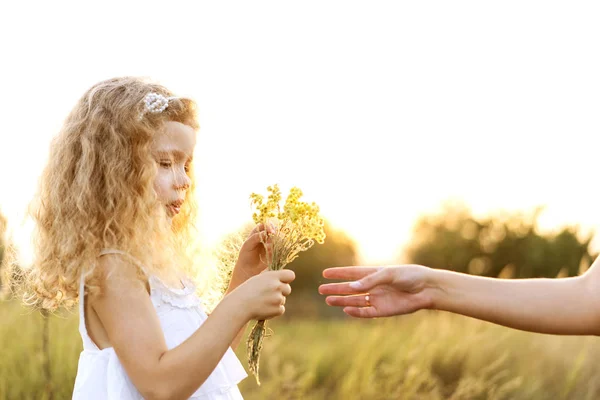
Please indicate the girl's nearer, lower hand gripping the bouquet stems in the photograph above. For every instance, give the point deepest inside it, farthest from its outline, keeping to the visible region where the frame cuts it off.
(264, 295)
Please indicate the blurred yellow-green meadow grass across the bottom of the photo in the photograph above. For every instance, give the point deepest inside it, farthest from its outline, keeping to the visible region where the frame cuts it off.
(425, 356)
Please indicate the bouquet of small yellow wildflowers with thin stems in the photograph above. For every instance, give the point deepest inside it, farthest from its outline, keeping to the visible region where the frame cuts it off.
(298, 226)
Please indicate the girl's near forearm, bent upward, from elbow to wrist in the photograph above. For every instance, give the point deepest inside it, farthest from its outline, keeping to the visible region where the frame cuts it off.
(184, 368)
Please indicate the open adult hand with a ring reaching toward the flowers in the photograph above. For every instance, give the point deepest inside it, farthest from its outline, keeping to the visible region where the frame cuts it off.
(379, 291)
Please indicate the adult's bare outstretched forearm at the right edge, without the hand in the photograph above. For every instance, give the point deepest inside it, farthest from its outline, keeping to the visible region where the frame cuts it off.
(556, 306)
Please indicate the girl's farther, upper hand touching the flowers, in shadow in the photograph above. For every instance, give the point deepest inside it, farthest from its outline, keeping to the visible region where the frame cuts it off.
(256, 252)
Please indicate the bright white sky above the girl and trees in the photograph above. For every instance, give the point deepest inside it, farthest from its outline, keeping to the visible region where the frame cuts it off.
(378, 111)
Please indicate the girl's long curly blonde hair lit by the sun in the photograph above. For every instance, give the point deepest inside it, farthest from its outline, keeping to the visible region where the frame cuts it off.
(97, 192)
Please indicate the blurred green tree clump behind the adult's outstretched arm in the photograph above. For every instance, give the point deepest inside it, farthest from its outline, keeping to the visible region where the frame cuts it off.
(502, 245)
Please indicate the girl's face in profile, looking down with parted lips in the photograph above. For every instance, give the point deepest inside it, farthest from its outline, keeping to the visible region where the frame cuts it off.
(173, 149)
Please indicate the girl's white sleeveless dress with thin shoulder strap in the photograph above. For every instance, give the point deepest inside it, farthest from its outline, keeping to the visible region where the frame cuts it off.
(100, 374)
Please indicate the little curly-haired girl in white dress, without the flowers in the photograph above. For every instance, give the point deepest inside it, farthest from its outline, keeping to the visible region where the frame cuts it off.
(114, 225)
